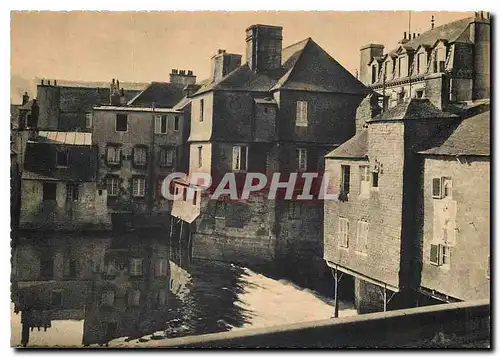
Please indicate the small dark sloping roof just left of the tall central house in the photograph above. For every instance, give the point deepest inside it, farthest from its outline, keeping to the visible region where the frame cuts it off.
(162, 94)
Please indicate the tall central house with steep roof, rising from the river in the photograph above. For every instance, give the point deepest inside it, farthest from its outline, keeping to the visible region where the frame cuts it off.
(279, 112)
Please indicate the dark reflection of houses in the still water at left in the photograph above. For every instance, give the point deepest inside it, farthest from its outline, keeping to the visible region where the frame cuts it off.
(129, 286)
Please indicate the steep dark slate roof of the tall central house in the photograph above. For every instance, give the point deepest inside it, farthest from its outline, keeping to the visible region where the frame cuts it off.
(306, 66)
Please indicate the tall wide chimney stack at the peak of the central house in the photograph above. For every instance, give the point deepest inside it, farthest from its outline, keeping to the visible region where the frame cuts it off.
(264, 46)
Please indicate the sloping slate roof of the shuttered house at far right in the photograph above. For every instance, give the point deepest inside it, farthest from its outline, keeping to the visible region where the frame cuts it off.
(469, 137)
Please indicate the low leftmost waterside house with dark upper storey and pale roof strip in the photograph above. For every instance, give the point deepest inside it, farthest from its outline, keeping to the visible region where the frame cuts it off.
(58, 184)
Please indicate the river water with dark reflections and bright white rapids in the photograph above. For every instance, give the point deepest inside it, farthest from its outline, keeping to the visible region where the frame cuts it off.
(132, 290)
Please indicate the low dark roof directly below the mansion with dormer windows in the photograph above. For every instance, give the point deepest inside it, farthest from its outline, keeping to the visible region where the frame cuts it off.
(415, 108)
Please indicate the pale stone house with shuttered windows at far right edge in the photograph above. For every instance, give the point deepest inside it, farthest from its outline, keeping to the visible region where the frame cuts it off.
(455, 201)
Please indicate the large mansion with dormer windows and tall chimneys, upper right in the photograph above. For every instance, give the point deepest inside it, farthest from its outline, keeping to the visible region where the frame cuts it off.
(448, 64)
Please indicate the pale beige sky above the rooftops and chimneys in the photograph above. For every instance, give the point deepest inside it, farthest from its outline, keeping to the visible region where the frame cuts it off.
(145, 46)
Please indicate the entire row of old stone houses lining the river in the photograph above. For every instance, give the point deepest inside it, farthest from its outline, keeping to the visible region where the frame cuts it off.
(401, 144)
